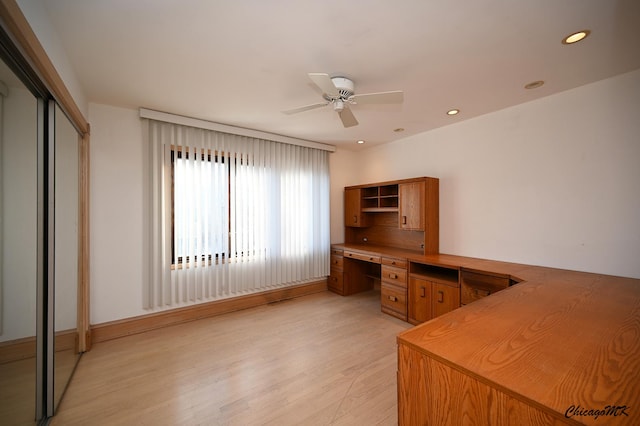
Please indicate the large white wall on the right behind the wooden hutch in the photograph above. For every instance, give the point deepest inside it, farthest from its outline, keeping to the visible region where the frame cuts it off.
(552, 182)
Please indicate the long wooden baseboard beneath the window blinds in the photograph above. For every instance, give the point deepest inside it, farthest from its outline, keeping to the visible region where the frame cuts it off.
(140, 324)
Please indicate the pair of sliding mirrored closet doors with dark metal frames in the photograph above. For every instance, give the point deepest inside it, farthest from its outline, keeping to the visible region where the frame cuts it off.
(40, 246)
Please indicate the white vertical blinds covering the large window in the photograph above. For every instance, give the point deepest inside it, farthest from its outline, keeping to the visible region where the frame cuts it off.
(232, 215)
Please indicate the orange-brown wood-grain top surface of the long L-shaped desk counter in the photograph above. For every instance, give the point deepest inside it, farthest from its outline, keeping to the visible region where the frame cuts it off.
(558, 339)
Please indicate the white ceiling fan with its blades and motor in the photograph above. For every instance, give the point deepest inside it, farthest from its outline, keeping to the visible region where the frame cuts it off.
(338, 92)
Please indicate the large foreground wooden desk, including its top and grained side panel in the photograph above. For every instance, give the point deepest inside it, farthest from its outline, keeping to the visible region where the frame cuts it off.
(561, 347)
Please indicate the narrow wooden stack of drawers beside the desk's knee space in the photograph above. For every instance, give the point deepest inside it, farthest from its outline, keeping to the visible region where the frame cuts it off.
(393, 288)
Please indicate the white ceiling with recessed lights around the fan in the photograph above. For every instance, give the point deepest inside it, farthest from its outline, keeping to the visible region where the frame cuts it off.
(243, 62)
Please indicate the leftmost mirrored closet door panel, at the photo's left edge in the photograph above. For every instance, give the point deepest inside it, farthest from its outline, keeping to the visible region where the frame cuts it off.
(18, 249)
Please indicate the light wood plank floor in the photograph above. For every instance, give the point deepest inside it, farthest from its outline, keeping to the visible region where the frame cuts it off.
(317, 360)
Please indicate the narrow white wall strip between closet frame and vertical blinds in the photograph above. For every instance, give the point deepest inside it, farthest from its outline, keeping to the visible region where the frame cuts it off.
(116, 213)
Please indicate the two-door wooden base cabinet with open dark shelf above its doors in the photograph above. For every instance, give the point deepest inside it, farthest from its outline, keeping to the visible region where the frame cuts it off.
(433, 291)
